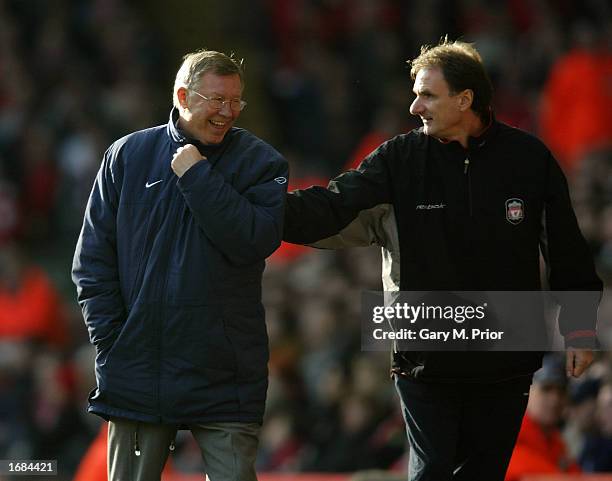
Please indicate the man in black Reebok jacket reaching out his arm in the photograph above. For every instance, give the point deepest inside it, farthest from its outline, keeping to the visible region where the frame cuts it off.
(463, 203)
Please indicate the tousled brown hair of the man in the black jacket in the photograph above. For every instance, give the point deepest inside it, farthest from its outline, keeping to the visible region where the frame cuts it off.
(462, 68)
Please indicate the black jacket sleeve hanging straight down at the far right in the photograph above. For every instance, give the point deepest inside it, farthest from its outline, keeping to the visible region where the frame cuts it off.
(570, 268)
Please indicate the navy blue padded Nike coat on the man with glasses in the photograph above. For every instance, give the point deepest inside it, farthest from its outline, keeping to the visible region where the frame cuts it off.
(168, 274)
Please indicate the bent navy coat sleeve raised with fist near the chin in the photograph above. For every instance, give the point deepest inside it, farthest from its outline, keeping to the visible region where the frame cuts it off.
(245, 226)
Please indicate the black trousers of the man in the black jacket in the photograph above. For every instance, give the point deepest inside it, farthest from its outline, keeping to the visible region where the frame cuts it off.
(461, 432)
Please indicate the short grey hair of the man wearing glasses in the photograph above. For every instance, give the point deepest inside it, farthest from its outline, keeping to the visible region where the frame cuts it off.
(196, 64)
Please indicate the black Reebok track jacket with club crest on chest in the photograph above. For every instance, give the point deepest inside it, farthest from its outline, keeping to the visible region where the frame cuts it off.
(450, 218)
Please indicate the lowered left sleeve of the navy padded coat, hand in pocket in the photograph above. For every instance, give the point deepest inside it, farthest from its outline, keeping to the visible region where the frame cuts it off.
(94, 267)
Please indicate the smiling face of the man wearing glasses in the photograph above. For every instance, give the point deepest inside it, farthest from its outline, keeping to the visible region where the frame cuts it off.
(207, 124)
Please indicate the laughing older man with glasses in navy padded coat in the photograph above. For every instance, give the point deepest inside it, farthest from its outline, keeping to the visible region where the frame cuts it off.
(168, 270)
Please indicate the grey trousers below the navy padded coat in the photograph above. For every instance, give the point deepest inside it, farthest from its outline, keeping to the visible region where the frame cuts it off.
(138, 451)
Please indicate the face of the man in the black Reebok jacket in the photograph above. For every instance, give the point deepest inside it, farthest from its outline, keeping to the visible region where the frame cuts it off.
(438, 108)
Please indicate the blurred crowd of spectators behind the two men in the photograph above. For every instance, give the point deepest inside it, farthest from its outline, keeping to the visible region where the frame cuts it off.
(331, 83)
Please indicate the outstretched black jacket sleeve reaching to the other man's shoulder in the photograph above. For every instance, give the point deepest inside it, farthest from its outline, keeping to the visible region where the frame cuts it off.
(347, 211)
